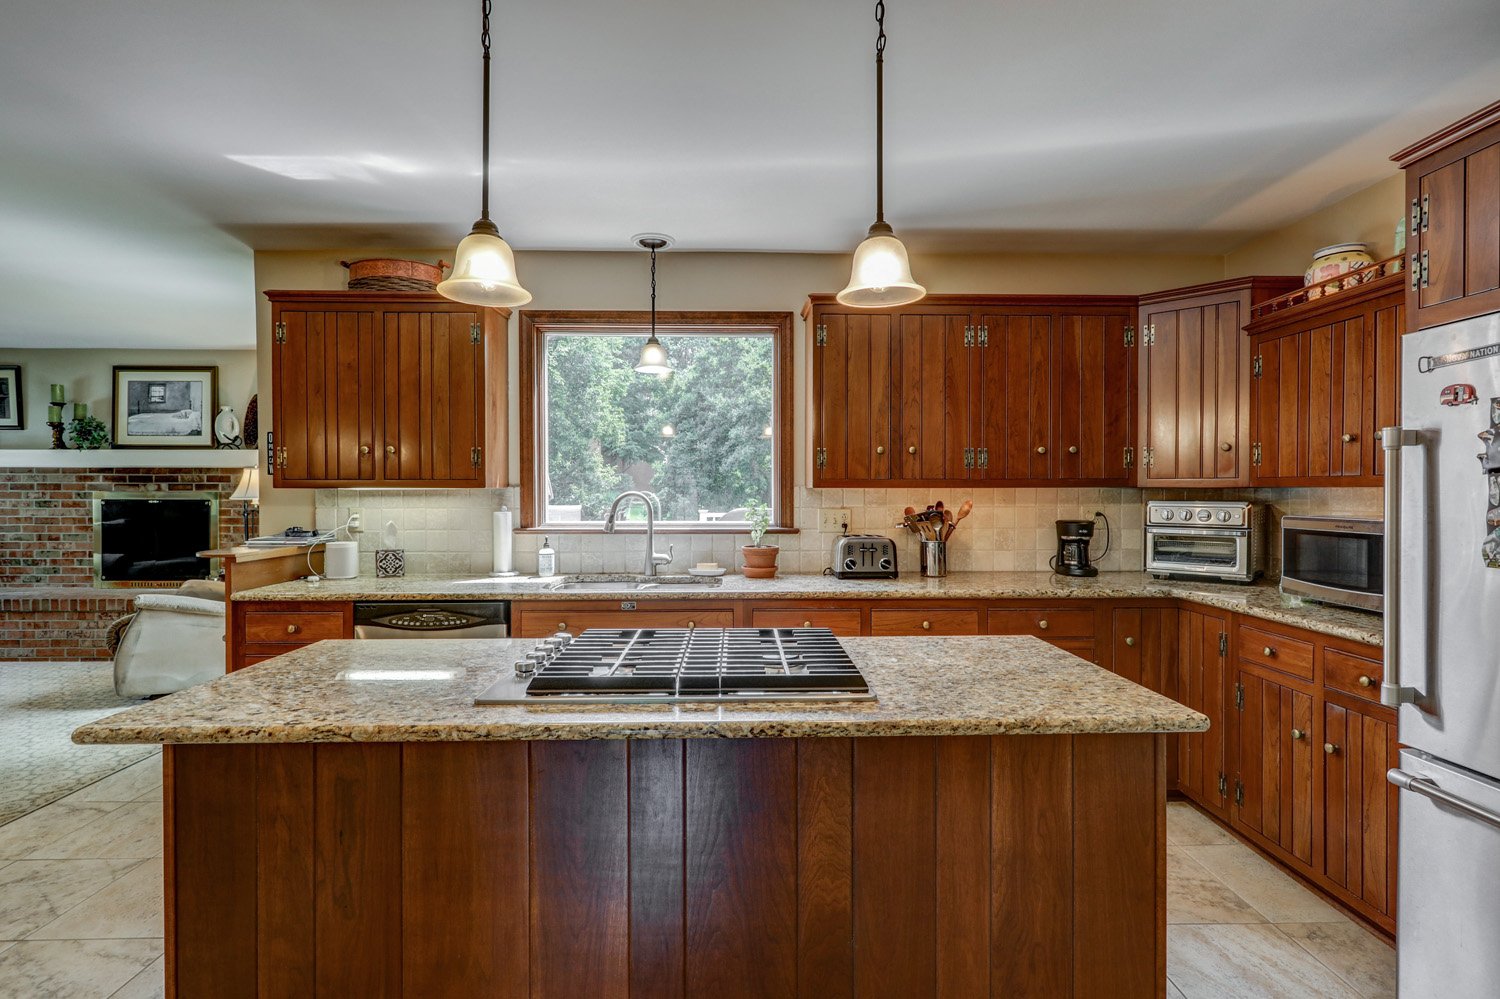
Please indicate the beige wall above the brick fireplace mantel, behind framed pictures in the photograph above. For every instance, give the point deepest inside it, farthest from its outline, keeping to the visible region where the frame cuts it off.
(88, 374)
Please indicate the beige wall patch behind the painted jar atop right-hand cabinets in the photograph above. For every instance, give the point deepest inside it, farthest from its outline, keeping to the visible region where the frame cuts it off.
(1367, 217)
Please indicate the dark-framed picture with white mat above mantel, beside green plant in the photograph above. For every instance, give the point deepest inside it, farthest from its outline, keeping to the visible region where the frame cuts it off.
(166, 407)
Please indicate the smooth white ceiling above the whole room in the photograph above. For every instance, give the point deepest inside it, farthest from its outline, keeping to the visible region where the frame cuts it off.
(139, 133)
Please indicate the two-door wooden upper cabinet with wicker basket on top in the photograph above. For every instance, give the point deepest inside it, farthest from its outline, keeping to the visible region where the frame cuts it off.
(386, 389)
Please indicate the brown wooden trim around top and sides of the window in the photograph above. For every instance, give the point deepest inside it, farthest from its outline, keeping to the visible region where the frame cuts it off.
(535, 325)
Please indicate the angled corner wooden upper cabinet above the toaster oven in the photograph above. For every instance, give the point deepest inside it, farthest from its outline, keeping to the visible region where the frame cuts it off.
(1195, 382)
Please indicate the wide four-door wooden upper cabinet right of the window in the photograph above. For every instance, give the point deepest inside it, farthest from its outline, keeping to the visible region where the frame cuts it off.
(973, 389)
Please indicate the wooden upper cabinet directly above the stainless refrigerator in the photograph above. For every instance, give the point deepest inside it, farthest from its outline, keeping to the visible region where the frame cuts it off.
(1454, 221)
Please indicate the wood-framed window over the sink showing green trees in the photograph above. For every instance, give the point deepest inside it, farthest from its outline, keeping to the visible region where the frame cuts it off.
(712, 439)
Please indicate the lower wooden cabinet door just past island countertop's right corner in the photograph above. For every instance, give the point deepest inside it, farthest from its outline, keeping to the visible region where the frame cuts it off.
(1202, 652)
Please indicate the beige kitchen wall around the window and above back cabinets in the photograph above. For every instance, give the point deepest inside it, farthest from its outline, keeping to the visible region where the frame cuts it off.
(725, 281)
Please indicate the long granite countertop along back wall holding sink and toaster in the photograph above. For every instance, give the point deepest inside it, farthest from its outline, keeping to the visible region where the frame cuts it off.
(1261, 601)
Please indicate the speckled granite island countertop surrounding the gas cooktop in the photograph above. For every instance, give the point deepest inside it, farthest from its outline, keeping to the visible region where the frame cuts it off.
(424, 692)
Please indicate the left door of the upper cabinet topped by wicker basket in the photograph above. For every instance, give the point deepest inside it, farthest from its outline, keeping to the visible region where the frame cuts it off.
(325, 371)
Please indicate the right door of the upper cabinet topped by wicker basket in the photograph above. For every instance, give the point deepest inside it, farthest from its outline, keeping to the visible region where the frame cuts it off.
(434, 379)
